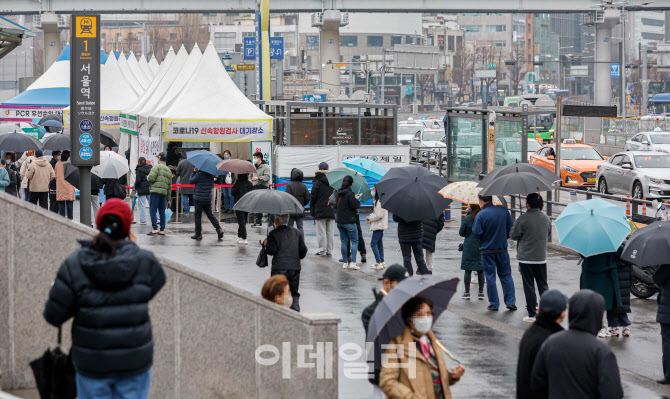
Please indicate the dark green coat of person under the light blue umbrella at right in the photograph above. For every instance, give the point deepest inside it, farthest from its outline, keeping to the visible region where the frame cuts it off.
(599, 273)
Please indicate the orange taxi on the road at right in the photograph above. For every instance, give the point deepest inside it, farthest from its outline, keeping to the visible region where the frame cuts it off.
(579, 163)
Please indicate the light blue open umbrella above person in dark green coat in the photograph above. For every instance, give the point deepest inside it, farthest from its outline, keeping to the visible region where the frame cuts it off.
(592, 227)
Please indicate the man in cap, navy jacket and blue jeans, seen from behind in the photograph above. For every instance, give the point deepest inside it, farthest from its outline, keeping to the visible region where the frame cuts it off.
(492, 226)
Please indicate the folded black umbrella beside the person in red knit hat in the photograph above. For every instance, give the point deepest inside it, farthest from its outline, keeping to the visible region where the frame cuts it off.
(54, 374)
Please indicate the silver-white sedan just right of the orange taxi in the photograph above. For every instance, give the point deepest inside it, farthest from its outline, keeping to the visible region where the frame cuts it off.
(641, 174)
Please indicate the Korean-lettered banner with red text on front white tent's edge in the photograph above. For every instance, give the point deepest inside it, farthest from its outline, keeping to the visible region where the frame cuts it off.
(217, 130)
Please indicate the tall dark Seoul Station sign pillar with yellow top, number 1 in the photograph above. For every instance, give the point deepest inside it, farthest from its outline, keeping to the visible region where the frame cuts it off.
(85, 90)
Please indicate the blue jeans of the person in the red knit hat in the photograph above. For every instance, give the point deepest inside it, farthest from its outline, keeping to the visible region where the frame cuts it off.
(133, 387)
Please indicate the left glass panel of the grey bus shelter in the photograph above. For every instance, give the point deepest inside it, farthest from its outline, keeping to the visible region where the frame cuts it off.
(465, 136)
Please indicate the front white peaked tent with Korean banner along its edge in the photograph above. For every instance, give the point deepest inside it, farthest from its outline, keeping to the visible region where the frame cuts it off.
(210, 107)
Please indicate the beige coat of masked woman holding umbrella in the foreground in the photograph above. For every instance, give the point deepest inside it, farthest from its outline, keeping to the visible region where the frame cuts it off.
(395, 382)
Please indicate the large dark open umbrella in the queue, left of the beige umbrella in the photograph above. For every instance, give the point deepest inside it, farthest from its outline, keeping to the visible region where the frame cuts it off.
(412, 193)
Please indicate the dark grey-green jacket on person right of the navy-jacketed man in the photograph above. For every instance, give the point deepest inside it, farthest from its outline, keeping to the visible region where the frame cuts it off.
(531, 231)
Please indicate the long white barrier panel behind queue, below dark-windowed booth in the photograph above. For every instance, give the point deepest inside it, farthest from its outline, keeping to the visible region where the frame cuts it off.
(307, 158)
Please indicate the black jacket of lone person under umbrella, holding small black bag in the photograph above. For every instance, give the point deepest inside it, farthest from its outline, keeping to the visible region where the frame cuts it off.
(287, 247)
